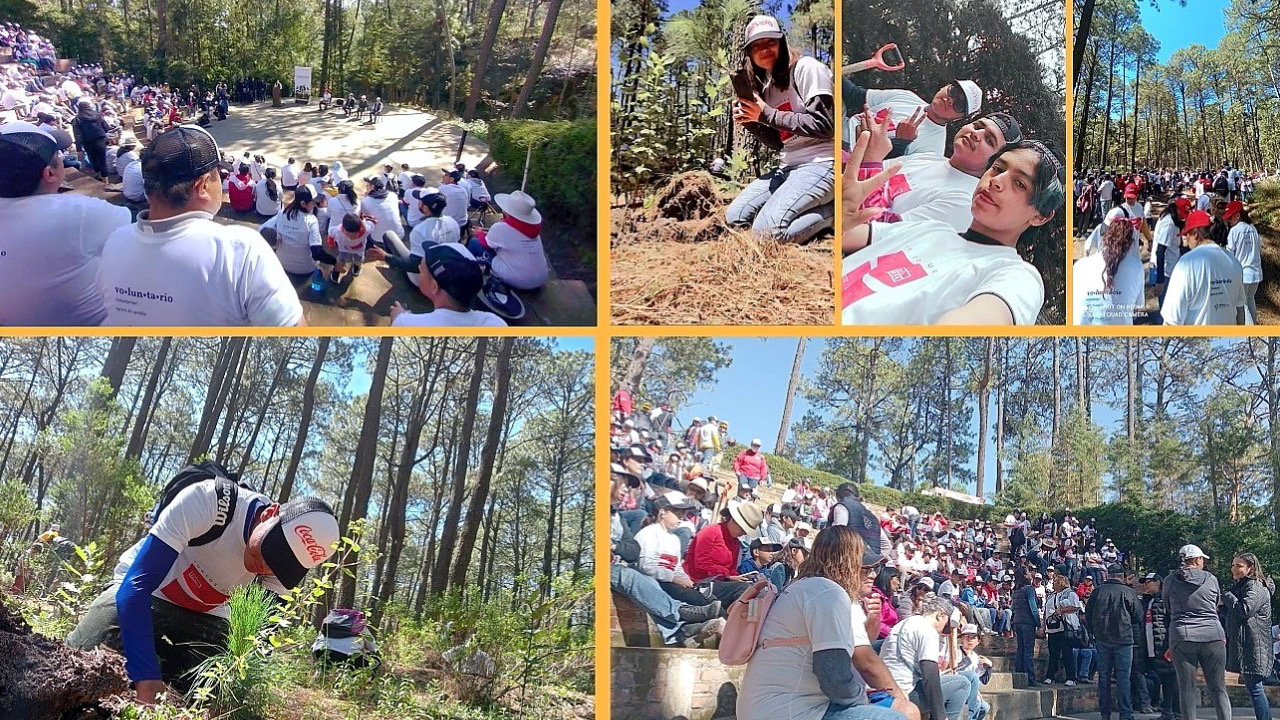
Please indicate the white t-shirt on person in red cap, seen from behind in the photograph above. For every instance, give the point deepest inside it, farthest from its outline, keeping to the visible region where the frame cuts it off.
(1205, 289)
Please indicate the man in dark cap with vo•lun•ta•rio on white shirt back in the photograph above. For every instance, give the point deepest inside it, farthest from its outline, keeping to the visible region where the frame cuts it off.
(176, 266)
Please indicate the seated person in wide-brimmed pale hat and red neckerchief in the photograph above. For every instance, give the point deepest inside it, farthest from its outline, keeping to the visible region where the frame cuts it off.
(514, 247)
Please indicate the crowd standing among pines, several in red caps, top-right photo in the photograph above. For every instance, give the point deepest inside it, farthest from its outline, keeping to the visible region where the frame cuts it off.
(1204, 256)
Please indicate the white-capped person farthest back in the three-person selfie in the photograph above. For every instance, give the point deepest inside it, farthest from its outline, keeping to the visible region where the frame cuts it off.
(918, 127)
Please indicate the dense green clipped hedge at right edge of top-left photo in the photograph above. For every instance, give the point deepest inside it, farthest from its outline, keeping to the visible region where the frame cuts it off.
(563, 170)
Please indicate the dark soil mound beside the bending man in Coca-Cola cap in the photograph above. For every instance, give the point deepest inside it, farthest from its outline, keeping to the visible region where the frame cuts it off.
(44, 680)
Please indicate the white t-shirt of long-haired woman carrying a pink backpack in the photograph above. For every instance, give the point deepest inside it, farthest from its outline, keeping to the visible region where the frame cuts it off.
(779, 683)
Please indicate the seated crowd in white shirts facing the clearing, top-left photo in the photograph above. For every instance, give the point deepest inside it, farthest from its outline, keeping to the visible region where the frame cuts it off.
(162, 258)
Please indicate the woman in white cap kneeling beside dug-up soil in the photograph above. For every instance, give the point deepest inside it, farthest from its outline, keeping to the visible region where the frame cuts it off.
(792, 110)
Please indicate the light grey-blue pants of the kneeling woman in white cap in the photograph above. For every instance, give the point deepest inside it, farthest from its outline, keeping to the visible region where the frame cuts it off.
(792, 204)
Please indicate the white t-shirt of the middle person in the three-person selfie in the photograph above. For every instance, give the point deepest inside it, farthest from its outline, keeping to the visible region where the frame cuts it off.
(930, 189)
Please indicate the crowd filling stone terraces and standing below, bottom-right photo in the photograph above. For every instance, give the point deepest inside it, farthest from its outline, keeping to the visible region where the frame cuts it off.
(888, 612)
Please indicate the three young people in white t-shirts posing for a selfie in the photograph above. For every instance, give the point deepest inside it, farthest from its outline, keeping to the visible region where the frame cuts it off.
(932, 234)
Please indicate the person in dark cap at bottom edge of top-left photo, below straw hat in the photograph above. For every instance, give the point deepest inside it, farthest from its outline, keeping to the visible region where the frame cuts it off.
(451, 279)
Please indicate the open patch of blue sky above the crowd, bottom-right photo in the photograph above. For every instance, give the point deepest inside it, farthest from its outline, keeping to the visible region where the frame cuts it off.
(751, 393)
